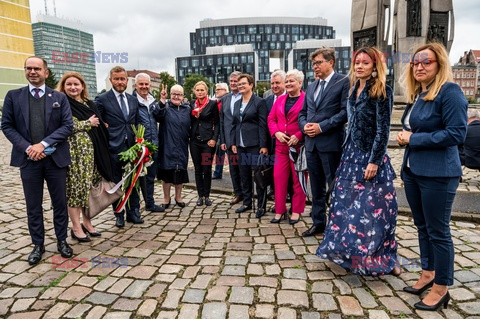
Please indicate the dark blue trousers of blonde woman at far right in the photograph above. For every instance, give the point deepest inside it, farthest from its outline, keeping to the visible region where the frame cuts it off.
(431, 200)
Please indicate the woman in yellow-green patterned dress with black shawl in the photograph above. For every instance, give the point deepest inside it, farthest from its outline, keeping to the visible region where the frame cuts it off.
(89, 153)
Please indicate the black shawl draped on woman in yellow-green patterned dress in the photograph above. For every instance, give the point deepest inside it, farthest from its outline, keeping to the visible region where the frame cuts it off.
(98, 135)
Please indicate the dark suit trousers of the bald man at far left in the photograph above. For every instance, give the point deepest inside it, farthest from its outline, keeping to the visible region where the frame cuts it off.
(33, 176)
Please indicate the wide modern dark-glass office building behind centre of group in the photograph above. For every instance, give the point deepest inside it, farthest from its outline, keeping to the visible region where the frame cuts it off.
(249, 45)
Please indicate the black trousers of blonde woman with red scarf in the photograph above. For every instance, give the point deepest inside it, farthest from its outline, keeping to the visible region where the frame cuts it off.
(202, 157)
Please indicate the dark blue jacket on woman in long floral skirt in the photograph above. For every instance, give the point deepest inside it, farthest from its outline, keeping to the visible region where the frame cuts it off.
(369, 122)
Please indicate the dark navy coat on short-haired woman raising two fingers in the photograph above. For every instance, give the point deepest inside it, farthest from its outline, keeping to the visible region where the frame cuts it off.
(173, 135)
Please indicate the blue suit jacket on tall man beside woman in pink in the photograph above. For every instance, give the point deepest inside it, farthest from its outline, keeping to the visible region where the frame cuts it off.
(331, 114)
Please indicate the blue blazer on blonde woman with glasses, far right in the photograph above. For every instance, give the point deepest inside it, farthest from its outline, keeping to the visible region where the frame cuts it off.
(438, 127)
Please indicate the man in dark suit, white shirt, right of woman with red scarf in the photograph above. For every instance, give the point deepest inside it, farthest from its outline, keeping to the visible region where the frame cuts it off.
(227, 135)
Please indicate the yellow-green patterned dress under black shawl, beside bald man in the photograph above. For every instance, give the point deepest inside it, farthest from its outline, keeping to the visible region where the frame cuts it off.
(82, 172)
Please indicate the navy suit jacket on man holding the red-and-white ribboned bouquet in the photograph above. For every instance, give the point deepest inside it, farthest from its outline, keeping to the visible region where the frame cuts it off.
(118, 127)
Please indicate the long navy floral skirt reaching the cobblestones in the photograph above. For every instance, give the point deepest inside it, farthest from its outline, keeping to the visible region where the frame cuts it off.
(360, 234)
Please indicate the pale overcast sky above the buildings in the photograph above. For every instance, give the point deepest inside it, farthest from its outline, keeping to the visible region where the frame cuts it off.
(154, 33)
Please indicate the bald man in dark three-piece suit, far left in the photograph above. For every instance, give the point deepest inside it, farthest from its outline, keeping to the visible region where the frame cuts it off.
(37, 120)
